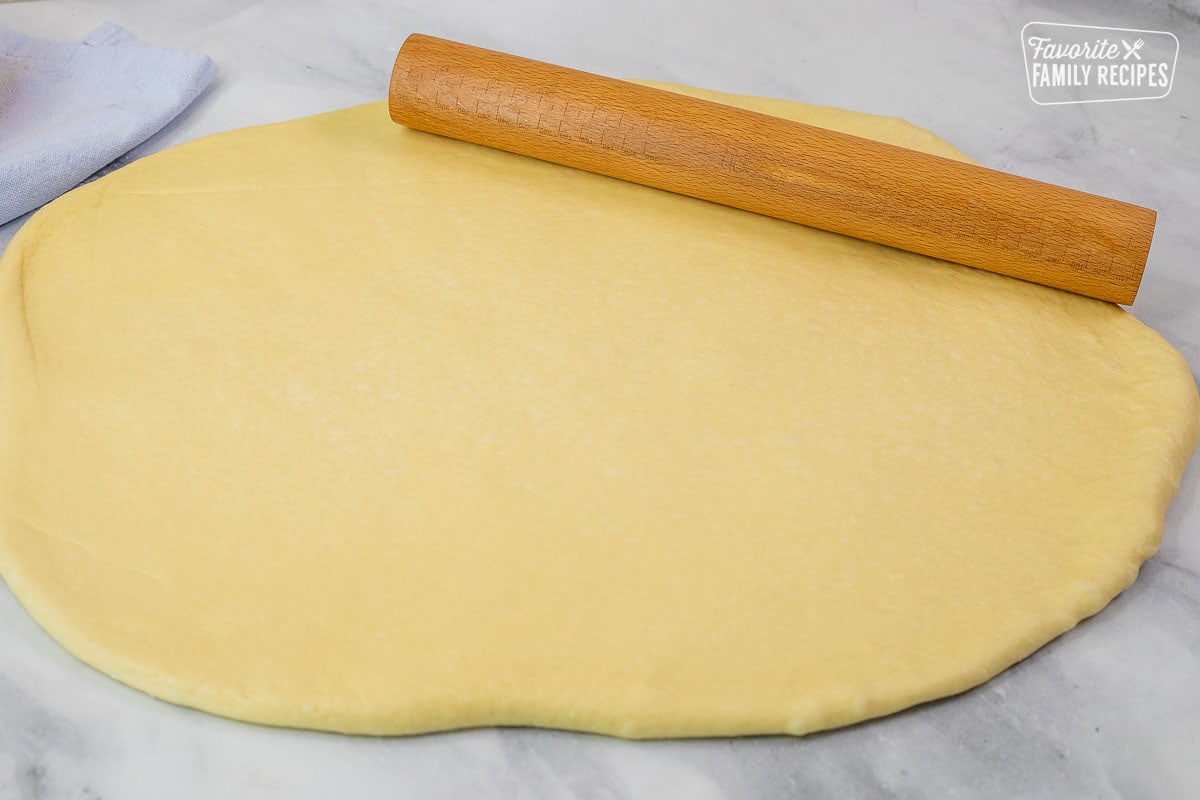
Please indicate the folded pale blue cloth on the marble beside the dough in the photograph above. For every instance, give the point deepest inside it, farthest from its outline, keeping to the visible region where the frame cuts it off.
(68, 110)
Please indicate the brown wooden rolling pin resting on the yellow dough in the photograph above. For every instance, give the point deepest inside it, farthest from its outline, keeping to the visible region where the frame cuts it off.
(961, 213)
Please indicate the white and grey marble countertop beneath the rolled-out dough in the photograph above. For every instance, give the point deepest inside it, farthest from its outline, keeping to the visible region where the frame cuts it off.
(1109, 711)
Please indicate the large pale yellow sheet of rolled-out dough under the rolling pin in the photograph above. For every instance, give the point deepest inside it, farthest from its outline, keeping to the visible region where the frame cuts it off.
(337, 425)
